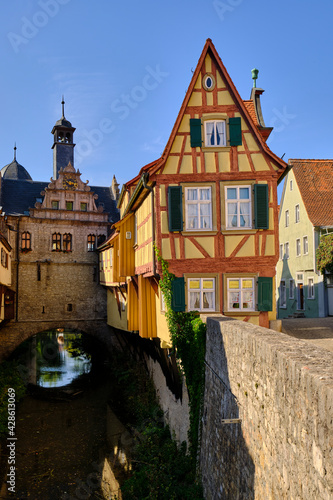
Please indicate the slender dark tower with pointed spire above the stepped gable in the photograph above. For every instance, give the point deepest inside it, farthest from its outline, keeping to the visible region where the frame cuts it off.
(63, 145)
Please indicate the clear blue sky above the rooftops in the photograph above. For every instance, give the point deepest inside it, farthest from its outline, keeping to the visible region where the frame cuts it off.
(124, 69)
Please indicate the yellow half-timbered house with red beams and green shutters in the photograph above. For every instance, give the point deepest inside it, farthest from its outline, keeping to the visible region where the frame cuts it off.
(210, 206)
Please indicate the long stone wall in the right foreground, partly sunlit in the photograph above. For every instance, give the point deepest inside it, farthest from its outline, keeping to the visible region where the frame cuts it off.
(277, 393)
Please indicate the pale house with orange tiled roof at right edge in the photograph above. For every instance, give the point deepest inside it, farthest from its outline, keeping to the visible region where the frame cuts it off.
(305, 217)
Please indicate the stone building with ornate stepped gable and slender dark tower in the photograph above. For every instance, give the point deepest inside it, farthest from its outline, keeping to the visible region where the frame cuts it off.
(55, 227)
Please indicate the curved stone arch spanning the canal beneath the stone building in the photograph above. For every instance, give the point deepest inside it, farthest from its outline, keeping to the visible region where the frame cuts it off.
(14, 333)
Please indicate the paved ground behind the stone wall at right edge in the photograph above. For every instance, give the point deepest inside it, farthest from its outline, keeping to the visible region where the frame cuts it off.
(318, 331)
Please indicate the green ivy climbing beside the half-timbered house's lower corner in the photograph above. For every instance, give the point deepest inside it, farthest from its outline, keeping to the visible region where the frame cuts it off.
(188, 336)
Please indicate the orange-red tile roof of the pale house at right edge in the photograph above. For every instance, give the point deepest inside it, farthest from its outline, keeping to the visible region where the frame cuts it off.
(315, 182)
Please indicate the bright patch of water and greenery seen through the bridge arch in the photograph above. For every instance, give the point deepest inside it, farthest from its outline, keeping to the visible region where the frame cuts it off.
(59, 359)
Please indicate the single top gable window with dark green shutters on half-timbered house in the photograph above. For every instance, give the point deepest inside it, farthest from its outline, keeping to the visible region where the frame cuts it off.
(215, 131)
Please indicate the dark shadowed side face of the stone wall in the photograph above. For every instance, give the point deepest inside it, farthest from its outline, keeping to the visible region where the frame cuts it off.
(226, 465)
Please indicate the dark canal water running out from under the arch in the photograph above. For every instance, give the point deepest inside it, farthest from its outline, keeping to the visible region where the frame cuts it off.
(68, 438)
